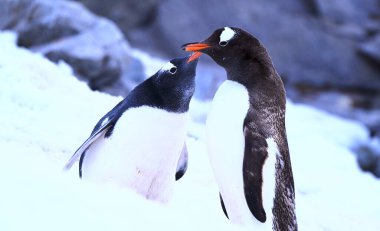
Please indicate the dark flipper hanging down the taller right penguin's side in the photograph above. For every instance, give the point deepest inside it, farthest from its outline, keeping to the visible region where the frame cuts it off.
(255, 154)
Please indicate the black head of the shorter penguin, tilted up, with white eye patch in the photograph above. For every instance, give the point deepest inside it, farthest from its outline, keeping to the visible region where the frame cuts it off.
(175, 83)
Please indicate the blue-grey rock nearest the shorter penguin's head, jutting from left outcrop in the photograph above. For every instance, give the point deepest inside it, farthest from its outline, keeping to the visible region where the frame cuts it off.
(100, 55)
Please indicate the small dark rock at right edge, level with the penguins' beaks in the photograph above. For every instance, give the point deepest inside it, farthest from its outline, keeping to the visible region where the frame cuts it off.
(371, 50)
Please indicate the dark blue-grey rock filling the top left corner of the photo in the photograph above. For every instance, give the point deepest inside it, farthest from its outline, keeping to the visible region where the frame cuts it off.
(42, 21)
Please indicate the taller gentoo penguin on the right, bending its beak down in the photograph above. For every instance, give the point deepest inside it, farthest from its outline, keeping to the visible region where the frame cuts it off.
(246, 136)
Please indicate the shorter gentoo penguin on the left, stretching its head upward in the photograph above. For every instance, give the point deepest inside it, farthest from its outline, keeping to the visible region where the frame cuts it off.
(138, 143)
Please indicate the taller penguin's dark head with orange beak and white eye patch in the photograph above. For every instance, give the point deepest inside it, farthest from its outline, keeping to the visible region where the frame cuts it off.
(228, 46)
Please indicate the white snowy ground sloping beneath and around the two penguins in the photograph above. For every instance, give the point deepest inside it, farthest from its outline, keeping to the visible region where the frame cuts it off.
(45, 114)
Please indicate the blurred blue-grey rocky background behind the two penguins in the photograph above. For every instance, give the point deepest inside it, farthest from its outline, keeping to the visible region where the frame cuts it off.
(327, 52)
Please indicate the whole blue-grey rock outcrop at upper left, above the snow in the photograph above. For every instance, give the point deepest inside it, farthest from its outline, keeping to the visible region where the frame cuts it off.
(93, 46)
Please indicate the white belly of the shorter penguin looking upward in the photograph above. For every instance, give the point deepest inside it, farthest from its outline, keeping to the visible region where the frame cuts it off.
(142, 152)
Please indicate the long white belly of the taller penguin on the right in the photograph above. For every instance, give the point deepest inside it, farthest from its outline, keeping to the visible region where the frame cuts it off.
(225, 143)
